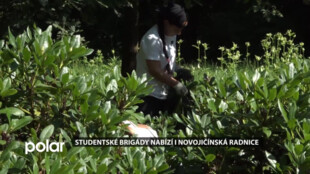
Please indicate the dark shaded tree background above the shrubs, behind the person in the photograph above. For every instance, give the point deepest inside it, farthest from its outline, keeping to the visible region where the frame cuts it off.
(119, 24)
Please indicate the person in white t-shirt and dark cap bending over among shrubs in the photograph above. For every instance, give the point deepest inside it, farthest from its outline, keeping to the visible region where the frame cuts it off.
(156, 59)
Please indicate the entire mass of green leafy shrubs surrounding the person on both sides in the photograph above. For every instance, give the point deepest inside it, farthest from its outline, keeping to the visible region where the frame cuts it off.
(49, 91)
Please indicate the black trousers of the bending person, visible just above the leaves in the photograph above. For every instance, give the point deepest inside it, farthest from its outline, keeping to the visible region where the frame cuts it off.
(152, 106)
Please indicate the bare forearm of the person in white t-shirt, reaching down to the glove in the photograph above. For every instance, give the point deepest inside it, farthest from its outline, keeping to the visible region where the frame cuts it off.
(155, 70)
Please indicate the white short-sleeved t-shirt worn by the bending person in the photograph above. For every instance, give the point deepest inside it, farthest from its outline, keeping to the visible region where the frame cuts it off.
(151, 48)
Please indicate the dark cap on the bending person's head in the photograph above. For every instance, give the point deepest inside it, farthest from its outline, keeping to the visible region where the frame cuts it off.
(174, 13)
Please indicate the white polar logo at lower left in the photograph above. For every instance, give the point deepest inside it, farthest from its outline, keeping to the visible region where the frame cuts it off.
(41, 147)
